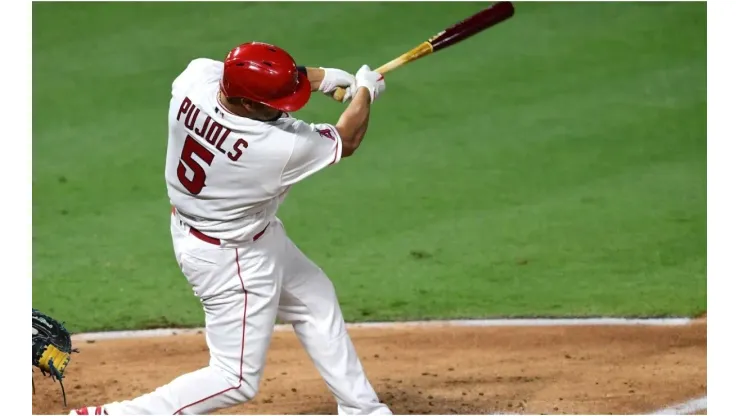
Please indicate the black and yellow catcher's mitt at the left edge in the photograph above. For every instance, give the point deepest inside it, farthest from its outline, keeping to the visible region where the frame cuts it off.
(52, 347)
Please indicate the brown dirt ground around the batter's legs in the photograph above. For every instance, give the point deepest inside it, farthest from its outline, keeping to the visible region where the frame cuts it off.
(448, 370)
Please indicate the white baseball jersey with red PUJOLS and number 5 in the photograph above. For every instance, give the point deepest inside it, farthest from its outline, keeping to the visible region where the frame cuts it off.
(226, 175)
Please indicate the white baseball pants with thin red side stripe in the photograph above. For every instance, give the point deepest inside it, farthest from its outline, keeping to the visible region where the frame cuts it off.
(243, 289)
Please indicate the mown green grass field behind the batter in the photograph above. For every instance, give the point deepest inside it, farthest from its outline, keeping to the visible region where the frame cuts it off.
(554, 165)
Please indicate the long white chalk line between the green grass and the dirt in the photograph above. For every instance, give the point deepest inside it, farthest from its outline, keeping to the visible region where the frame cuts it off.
(147, 333)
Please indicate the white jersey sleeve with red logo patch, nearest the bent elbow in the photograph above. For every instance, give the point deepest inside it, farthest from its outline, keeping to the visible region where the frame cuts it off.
(316, 146)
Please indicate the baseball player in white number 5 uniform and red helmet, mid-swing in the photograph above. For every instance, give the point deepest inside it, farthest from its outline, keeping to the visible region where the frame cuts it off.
(233, 153)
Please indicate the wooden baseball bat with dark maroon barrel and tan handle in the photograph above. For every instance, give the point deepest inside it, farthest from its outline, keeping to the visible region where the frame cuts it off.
(488, 17)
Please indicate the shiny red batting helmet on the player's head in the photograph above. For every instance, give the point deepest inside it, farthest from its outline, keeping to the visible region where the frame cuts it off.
(267, 74)
